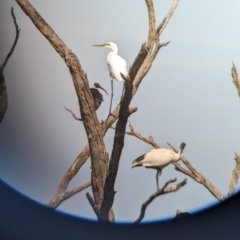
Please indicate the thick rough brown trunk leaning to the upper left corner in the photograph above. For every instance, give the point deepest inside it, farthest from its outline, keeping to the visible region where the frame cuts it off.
(99, 156)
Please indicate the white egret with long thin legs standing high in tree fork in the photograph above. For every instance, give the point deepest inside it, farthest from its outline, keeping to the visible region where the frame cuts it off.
(116, 65)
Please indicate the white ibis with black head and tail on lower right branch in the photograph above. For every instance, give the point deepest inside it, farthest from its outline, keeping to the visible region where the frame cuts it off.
(158, 159)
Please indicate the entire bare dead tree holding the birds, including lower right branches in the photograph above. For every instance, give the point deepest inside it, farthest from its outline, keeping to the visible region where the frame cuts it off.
(104, 169)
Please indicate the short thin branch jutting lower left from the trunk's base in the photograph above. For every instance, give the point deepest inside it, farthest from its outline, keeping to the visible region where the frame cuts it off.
(55, 202)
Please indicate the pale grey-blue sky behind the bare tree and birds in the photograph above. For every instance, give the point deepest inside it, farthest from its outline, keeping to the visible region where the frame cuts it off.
(188, 95)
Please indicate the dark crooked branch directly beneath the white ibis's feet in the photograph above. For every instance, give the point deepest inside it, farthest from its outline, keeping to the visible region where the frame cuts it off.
(161, 191)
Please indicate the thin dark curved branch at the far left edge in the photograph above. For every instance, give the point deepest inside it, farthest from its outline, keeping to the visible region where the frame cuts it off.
(3, 88)
